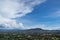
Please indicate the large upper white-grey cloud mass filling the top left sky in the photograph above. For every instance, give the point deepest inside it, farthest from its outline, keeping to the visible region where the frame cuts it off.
(17, 8)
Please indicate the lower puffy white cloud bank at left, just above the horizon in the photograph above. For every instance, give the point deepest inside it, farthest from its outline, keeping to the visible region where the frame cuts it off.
(8, 23)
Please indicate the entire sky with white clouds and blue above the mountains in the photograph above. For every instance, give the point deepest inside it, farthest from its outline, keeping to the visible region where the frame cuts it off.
(27, 14)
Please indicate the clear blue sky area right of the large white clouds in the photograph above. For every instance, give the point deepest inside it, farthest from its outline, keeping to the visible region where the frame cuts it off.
(44, 14)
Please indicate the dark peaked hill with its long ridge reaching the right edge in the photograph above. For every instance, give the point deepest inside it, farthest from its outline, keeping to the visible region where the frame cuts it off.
(39, 30)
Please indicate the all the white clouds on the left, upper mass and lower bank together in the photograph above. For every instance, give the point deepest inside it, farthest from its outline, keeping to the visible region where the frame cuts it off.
(15, 8)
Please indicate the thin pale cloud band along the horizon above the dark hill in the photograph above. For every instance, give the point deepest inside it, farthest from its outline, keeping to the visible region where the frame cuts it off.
(46, 27)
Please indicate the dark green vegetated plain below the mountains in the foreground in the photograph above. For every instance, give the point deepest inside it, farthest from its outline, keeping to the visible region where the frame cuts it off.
(27, 36)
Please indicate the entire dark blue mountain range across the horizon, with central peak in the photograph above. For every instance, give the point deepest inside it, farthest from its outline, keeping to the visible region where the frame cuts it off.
(30, 31)
